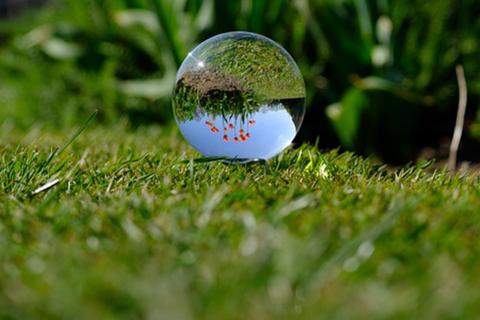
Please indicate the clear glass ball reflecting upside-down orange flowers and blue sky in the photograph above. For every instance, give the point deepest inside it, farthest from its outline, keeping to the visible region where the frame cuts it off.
(239, 96)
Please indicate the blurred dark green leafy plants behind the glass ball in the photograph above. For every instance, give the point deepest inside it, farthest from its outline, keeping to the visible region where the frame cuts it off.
(380, 74)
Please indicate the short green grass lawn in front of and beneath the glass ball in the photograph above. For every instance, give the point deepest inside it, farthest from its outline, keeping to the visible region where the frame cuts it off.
(131, 231)
